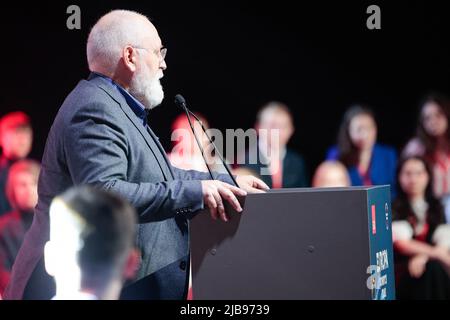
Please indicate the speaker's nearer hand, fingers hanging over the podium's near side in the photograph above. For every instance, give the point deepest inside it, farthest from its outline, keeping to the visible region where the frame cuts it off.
(215, 192)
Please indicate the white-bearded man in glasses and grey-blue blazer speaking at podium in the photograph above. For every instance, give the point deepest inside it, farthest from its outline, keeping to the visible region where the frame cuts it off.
(100, 137)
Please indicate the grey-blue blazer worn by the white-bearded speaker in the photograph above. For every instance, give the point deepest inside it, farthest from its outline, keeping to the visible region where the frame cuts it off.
(97, 139)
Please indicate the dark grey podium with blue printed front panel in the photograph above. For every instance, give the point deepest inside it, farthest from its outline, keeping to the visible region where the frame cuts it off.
(331, 243)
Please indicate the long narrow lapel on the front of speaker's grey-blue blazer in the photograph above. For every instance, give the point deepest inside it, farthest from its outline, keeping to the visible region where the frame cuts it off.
(148, 135)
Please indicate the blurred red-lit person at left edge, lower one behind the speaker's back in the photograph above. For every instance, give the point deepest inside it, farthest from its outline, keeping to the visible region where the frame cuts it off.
(21, 191)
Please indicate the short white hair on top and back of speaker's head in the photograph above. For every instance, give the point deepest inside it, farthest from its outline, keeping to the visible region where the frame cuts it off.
(110, 35)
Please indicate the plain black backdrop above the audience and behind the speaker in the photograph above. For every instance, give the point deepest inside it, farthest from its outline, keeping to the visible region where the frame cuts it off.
(228, 58)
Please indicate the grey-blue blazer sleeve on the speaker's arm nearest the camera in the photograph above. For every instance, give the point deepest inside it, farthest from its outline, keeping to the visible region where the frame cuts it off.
(96, 151)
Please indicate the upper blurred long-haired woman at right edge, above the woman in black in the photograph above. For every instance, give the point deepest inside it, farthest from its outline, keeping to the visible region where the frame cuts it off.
(432, 140)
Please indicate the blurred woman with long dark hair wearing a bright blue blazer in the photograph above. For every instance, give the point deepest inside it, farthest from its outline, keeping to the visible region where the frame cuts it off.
(368, 162)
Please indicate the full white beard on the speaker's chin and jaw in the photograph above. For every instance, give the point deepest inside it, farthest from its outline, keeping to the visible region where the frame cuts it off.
(147, 89)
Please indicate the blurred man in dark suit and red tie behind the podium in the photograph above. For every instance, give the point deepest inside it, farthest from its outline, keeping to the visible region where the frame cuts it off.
(285, 168)
